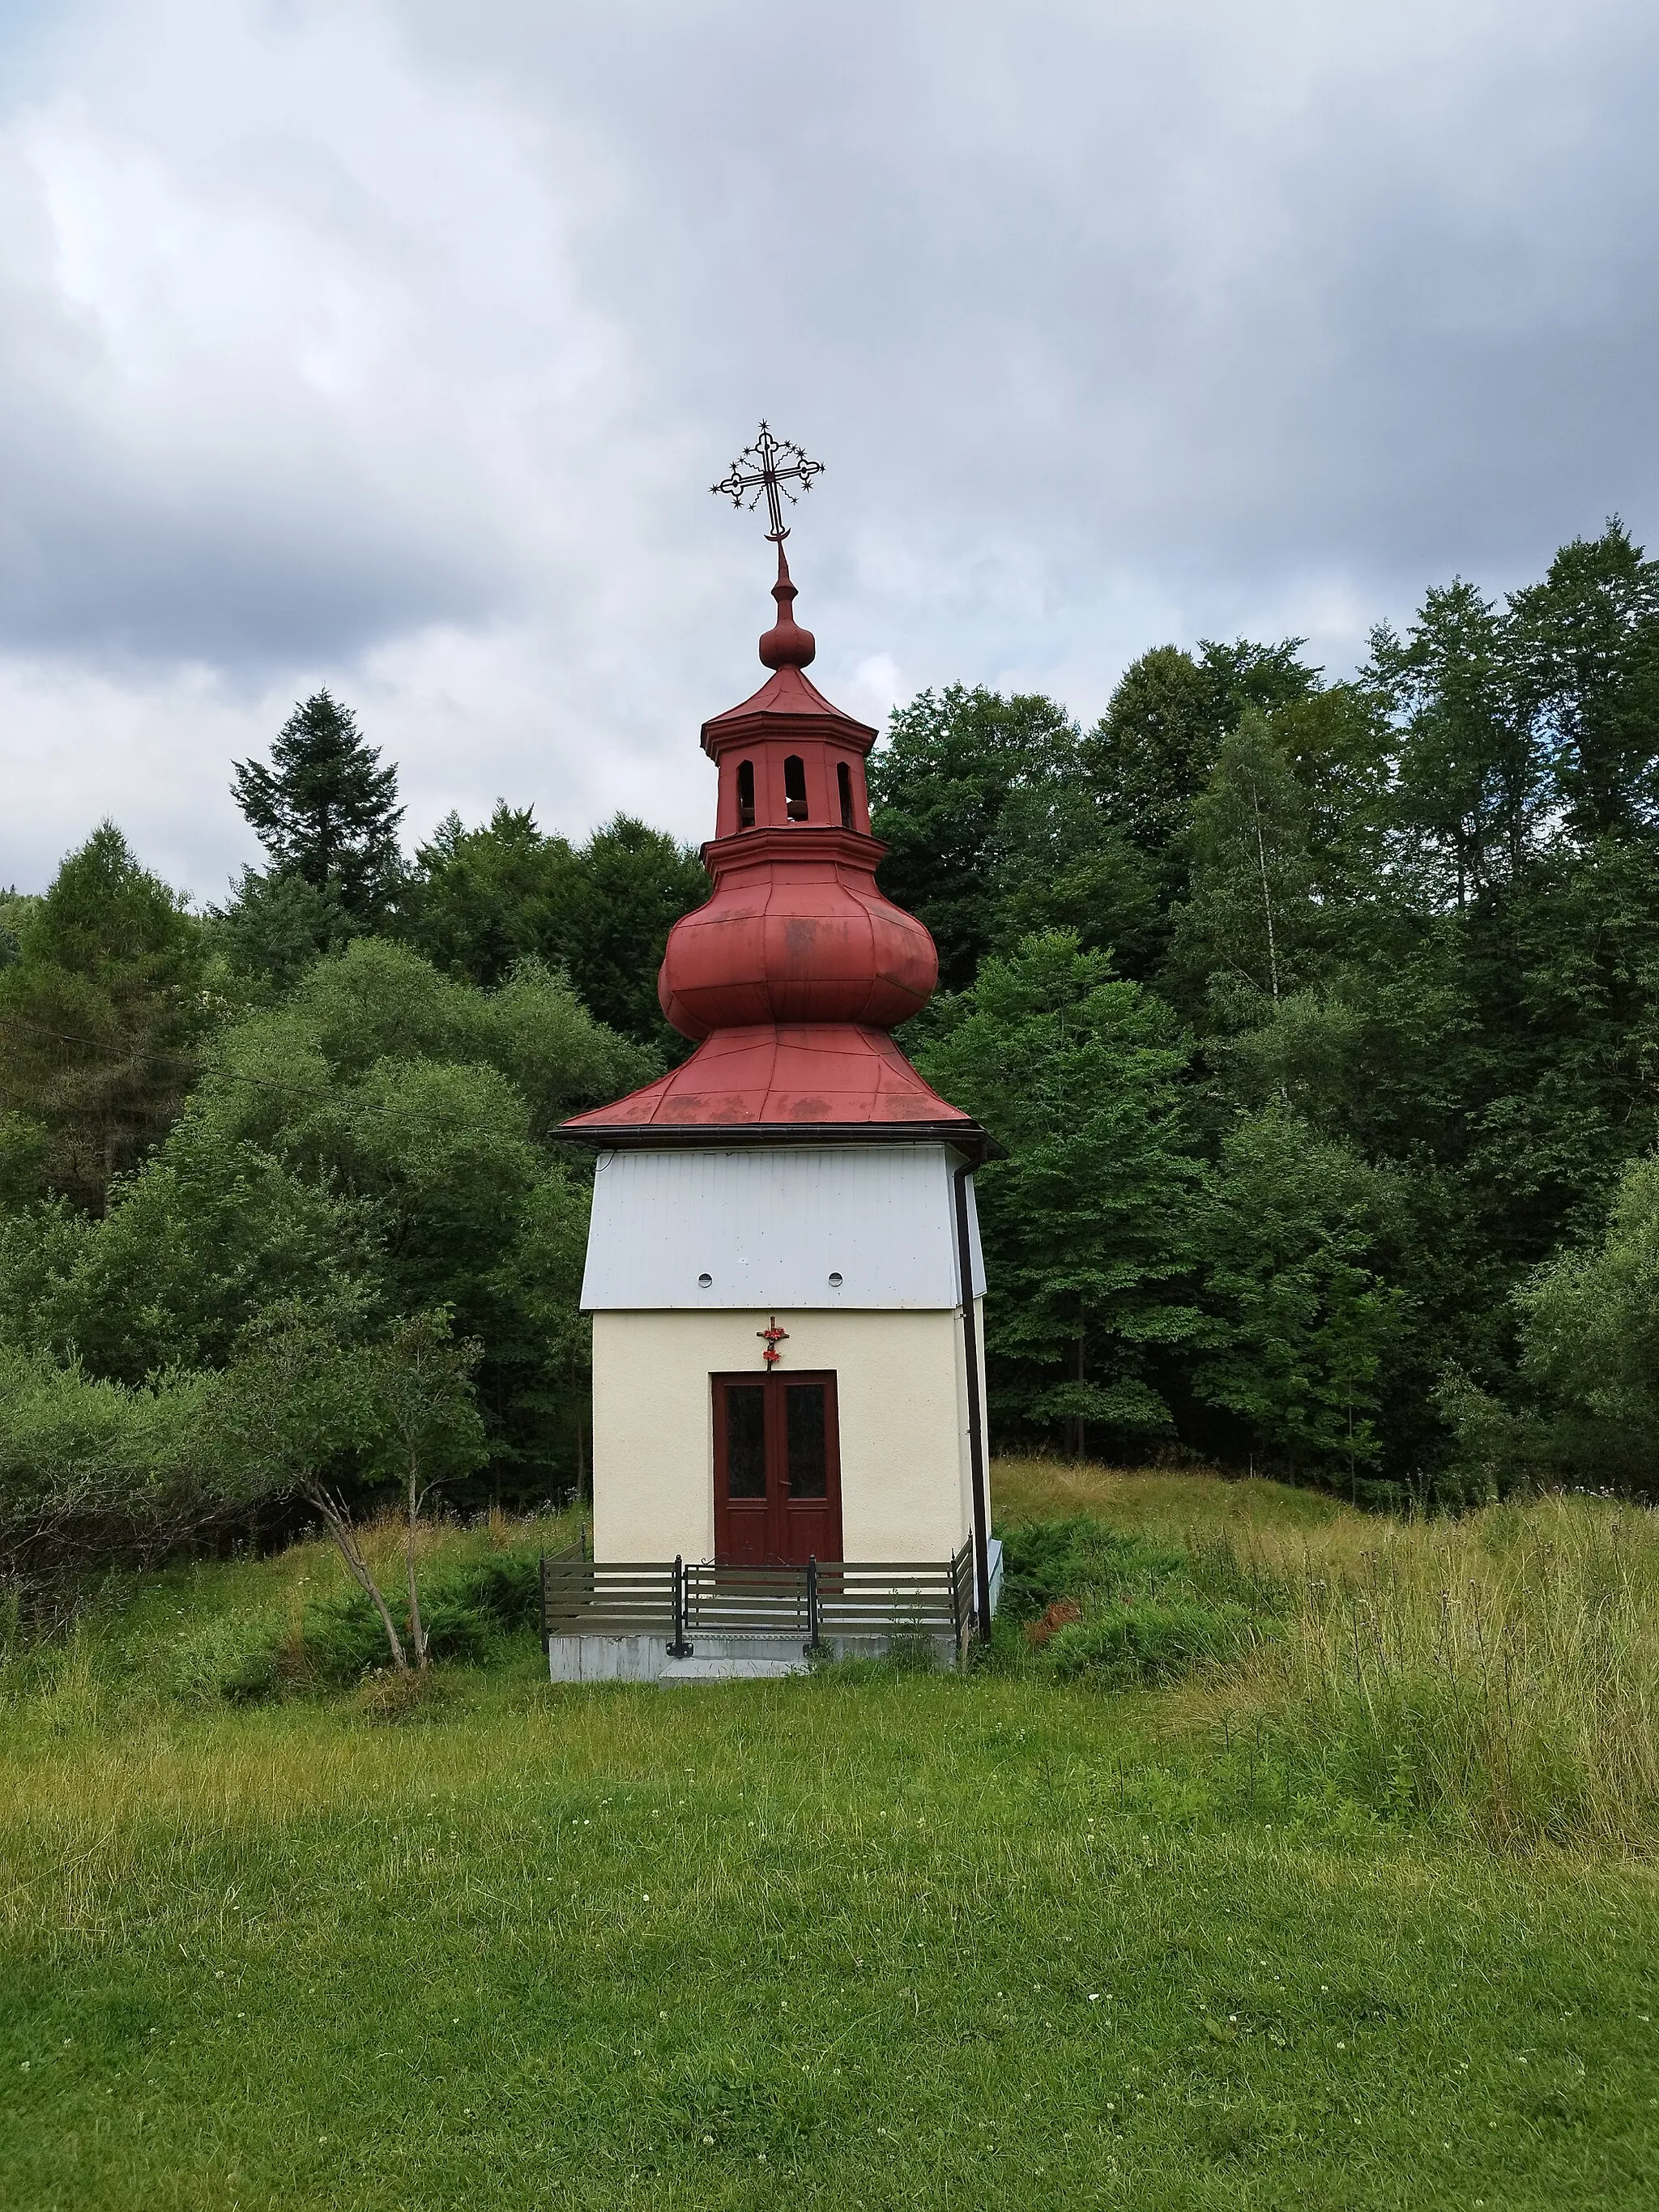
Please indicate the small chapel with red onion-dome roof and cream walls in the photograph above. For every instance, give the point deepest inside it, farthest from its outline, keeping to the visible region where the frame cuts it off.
(784, 1264)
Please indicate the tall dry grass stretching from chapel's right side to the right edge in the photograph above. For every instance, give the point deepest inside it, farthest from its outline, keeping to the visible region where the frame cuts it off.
(1496, 1671)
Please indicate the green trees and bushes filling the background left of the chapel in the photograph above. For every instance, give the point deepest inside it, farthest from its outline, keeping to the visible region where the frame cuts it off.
(320, 1114)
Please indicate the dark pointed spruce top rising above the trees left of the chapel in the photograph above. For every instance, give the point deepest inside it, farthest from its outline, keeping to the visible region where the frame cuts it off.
(326, 811)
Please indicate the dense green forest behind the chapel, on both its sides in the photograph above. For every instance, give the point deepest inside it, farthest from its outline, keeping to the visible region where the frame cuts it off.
(1317, 1023)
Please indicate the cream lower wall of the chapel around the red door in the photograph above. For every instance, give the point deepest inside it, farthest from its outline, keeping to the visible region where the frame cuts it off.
(901, 1390)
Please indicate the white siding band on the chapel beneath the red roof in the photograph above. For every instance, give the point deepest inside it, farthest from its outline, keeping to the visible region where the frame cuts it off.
(773, 1227)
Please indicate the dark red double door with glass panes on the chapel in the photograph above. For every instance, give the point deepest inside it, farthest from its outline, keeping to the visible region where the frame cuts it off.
(778, 1470)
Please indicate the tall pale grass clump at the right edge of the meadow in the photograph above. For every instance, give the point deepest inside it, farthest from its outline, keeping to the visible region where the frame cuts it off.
(1503, 1671)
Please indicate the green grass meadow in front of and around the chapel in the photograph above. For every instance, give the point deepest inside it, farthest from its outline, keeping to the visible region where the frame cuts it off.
(1353, 1908)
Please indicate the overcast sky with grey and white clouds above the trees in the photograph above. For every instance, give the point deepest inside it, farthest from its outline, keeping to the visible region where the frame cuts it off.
(395, 348)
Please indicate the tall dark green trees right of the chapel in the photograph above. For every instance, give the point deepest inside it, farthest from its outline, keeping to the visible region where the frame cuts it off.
(1322, 1025)
